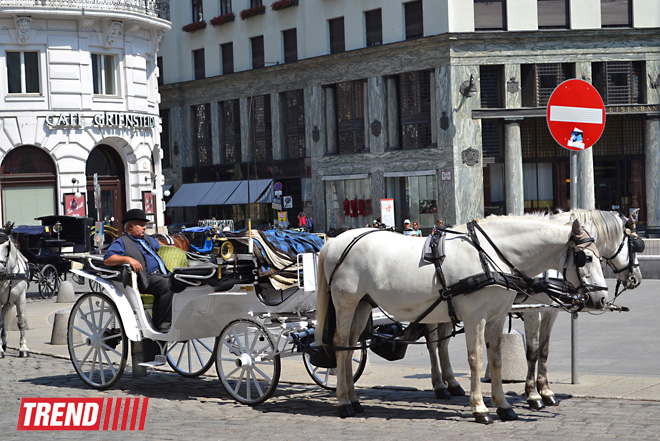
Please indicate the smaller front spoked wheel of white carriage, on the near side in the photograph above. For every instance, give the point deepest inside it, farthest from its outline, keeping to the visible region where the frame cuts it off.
(246, 361)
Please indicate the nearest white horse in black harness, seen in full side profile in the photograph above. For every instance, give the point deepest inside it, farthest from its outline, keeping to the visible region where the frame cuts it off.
(358, 271)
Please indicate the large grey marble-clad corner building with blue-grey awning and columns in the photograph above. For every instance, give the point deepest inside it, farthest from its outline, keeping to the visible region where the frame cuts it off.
(438, 105)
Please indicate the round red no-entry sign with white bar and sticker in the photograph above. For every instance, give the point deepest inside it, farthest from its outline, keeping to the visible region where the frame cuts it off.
(576, 115)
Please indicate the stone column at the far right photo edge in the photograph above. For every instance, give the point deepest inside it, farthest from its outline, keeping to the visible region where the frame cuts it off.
(652, 171)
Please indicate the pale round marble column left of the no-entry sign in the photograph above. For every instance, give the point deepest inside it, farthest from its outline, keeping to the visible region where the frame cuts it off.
(513, 177)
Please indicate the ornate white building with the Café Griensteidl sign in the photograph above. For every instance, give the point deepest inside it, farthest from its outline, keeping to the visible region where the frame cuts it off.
(80, 99)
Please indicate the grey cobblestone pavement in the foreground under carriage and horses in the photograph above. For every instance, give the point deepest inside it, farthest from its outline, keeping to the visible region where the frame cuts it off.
(198, 408)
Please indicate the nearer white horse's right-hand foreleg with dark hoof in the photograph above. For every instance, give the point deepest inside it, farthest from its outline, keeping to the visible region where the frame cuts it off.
(493, 348)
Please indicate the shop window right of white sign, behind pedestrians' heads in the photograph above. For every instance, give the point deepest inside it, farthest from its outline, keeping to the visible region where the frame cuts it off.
(415, 198)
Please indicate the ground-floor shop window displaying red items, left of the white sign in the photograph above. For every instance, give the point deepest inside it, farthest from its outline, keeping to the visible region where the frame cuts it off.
(348, 203)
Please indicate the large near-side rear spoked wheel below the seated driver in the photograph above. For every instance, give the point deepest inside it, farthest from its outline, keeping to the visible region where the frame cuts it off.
(97, 342)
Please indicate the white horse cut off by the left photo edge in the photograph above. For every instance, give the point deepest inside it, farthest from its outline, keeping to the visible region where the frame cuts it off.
(13, 286)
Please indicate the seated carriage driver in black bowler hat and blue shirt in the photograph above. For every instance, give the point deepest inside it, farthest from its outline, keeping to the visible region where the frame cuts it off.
(140, 251)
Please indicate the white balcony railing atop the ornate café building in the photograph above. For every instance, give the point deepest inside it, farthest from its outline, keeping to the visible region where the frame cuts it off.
(152, 8)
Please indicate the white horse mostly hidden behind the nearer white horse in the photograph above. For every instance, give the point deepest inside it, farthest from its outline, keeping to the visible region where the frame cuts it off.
(615, 238)
